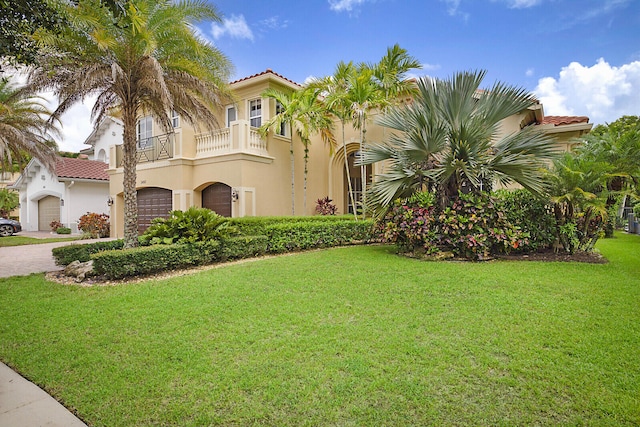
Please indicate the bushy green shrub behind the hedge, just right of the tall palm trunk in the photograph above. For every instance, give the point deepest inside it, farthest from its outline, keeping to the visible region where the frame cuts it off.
(193, 225)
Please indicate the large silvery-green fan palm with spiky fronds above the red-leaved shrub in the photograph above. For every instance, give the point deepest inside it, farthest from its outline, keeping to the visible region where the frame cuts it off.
(446, 141)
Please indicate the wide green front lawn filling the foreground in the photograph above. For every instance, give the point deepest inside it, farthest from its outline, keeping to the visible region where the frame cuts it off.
(347, 336)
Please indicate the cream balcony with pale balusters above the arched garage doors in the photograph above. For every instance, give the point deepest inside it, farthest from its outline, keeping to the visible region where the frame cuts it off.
(238, 138)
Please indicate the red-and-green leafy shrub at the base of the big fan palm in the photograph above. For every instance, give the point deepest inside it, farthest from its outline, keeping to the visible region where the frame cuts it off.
(472, 226)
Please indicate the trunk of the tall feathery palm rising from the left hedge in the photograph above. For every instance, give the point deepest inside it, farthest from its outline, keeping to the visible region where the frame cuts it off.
(129, 184)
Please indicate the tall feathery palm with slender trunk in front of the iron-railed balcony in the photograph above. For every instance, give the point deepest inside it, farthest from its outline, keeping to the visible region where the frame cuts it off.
(141, 57)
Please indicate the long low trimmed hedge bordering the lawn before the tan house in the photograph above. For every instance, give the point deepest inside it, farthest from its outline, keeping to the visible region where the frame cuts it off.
(279, 235)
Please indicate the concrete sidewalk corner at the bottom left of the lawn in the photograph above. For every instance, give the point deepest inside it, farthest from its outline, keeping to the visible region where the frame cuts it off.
(24, 404)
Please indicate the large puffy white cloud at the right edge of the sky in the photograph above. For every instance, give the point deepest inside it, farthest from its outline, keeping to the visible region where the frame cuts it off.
(602, 92)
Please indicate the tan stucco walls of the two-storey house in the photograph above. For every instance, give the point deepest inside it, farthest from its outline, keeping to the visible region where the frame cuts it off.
(263, 182)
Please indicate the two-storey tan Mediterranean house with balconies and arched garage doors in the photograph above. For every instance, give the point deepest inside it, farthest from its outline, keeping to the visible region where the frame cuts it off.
(236, 172)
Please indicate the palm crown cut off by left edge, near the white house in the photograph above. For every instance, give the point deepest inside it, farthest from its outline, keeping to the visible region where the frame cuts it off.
(24, 129)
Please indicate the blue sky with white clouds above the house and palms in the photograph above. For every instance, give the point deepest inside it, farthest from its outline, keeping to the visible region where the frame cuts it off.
(580, 57)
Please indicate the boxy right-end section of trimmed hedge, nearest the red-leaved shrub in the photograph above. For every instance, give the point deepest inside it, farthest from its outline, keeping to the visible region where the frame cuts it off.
(296, 236)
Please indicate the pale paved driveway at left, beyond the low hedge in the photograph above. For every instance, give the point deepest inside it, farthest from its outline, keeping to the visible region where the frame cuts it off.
(27, 259)
